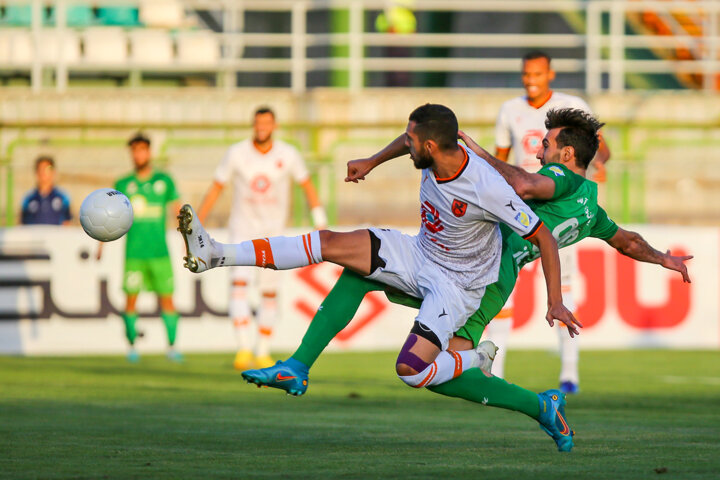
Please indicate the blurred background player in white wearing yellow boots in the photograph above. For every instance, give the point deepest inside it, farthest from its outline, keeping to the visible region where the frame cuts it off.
(261, 169)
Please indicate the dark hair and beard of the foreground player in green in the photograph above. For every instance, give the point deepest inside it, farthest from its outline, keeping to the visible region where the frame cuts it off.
(579, 130)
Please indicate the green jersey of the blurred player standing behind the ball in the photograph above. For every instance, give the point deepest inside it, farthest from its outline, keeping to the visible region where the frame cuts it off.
(150, 198)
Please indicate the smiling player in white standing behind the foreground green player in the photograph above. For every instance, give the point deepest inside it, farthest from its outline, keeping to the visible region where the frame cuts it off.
(520, 128)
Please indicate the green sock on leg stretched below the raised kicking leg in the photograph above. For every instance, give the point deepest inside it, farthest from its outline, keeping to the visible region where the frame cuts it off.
(334, 314)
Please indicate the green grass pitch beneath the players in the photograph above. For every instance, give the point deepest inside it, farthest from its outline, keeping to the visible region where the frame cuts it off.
(641, 414)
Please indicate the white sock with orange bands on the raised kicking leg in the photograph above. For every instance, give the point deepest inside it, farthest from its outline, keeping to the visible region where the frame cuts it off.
(279, 253)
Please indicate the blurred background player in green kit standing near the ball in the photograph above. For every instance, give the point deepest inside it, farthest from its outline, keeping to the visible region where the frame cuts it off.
(147, 260)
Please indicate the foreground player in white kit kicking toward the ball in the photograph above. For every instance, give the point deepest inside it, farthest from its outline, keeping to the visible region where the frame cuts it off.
(447, 264)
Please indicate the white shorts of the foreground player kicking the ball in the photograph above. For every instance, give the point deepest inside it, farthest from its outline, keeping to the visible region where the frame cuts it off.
(446, 306)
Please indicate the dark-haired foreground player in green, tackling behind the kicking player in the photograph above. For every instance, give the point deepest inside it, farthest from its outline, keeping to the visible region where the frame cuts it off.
(567, 203)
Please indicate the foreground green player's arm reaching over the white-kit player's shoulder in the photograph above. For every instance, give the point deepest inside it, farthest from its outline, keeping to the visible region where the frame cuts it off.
(526, 185)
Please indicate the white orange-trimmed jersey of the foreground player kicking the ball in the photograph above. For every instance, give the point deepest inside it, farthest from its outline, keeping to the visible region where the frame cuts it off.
(459, 221)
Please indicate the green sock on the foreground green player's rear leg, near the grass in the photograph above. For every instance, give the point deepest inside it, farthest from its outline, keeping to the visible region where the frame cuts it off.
(476, 386)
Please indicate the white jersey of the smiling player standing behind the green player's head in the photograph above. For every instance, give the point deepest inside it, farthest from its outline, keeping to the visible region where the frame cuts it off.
(522, 126)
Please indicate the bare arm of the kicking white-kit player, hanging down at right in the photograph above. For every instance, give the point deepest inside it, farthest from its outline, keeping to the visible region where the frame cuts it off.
(550, 259)
